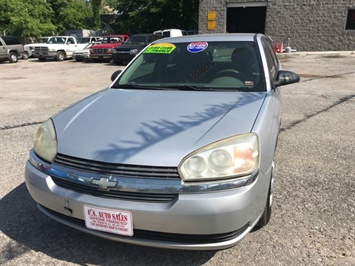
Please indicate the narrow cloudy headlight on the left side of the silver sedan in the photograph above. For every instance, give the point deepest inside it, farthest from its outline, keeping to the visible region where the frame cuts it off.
(45, 143)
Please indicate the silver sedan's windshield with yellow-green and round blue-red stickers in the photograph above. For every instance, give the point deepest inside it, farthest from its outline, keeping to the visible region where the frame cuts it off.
(196, 66)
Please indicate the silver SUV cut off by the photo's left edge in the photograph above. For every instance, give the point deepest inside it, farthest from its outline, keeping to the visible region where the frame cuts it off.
(10, 49)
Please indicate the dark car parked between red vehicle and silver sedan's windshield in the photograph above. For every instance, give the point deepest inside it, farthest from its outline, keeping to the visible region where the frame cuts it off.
(128, 50)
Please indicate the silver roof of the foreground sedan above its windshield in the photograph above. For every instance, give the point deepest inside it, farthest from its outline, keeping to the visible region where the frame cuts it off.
(212, 37)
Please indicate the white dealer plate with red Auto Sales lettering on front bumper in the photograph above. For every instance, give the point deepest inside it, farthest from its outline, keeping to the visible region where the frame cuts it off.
(108, 220)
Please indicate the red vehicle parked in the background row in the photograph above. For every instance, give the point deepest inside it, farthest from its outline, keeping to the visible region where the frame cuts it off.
(104, 50)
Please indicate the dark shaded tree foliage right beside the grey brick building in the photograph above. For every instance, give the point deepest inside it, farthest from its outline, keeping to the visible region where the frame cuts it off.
(149, 15)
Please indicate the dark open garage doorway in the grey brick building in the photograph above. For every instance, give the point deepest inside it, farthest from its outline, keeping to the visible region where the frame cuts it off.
(246, 19)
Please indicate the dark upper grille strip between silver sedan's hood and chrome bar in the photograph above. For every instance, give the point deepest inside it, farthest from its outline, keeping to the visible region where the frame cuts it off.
(123, 170)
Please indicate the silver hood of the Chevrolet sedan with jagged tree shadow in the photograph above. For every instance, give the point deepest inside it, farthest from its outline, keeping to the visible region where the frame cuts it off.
(152, 127)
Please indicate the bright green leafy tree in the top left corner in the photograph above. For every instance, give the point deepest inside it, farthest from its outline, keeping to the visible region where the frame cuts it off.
(31, 18)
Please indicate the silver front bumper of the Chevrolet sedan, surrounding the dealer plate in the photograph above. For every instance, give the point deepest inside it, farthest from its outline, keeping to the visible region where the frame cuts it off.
(208, 219)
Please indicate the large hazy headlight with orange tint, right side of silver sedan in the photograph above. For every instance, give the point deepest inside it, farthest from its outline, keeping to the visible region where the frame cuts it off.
(228, 158)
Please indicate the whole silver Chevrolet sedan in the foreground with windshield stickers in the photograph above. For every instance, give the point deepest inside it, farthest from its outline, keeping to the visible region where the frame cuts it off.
(177, 153)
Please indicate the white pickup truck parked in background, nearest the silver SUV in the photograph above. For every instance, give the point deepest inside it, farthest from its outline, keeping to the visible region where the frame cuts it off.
(58, 48)
